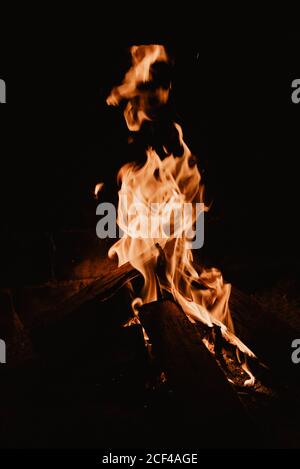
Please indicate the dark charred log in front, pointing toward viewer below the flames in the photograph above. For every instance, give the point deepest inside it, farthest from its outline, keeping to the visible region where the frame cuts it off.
(213, 414)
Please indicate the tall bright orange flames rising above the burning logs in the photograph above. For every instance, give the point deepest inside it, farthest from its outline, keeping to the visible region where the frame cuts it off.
(152, 197)
